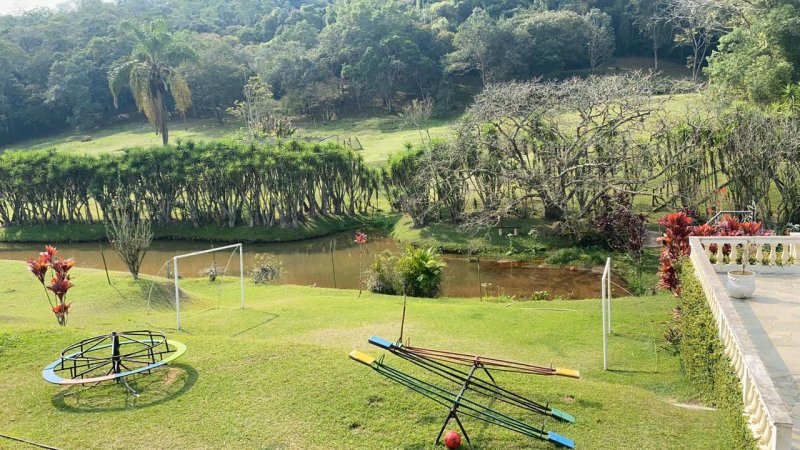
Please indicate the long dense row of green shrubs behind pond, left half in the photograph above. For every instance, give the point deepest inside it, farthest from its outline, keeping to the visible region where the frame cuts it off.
(219, 183)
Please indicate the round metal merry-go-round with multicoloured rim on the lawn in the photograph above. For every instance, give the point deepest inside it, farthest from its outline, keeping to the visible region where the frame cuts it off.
(112, 357)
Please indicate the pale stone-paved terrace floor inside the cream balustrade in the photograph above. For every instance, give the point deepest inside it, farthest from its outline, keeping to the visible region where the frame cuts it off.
(772, 318)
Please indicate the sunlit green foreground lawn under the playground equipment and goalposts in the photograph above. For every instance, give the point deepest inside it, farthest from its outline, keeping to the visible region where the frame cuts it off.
(276, 374)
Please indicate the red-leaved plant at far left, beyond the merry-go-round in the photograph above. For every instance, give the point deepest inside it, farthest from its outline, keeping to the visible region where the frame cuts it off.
(60, 283)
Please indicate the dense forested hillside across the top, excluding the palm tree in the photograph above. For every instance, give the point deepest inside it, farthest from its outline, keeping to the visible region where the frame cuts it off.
(329, 58)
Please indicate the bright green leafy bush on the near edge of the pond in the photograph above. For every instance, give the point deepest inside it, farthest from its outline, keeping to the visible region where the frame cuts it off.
(421, 272)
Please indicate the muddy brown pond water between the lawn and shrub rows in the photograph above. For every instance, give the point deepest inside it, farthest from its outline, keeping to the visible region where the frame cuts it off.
(309, 263)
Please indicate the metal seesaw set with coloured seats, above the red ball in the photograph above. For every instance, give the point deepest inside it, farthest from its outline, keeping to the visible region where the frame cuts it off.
(461, 403)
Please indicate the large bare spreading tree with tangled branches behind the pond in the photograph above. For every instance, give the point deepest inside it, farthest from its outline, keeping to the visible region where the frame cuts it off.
(564, 143)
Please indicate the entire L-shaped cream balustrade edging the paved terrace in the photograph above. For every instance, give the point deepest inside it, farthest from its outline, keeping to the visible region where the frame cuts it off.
(768, 416)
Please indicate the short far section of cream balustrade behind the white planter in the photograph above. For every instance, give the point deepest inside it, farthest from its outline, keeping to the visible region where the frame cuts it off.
(767, 254)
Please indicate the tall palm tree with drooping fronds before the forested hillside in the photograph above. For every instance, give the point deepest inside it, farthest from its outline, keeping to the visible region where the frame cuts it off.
(149, 71)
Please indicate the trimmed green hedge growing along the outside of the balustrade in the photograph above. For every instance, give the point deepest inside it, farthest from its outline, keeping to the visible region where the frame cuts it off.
(704, 360)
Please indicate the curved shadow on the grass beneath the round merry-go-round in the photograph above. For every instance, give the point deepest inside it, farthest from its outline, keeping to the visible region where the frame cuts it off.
(156, 388)
